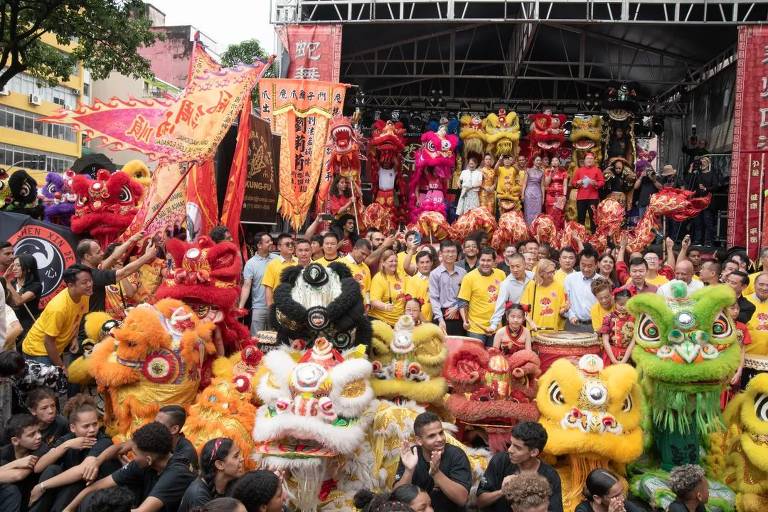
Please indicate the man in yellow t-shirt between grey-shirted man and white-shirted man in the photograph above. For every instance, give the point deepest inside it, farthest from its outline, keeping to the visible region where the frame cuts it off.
(477, 296)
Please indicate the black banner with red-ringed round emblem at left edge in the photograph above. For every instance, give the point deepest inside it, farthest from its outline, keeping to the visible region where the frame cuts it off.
(53, 247)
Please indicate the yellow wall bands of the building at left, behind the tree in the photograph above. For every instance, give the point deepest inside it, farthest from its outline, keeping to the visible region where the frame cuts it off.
(39, 142)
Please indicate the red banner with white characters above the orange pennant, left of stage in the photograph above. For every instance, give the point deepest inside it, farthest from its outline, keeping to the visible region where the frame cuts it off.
(314, 51)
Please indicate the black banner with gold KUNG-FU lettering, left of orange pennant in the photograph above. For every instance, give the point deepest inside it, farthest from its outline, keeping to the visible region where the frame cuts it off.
(260, 199)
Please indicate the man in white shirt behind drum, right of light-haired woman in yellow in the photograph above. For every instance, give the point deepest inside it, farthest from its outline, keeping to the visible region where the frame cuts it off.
(578, 288)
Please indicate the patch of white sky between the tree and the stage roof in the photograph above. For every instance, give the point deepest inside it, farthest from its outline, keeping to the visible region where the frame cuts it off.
(224, 21)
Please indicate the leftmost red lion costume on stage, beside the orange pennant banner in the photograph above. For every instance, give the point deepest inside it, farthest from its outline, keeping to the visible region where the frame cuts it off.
(345, 145)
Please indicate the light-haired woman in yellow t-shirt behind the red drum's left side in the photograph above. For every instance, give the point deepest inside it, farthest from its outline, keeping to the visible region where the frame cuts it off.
(546, 298)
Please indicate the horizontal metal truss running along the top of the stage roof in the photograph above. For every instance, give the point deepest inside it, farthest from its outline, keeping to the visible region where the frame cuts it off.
(732, 12)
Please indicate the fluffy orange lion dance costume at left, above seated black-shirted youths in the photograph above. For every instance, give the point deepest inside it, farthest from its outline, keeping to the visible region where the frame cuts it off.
(153, 358)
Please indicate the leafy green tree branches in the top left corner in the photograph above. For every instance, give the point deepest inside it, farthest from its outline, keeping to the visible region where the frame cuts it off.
(106, 34)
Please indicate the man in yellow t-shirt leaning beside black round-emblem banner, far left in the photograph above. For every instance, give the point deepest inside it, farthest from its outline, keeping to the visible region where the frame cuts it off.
(56, 327)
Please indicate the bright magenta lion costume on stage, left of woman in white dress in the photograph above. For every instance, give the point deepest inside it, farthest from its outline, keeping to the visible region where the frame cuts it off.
(433, 167)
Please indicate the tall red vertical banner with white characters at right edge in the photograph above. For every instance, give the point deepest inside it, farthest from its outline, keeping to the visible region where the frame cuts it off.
(750, 142)
